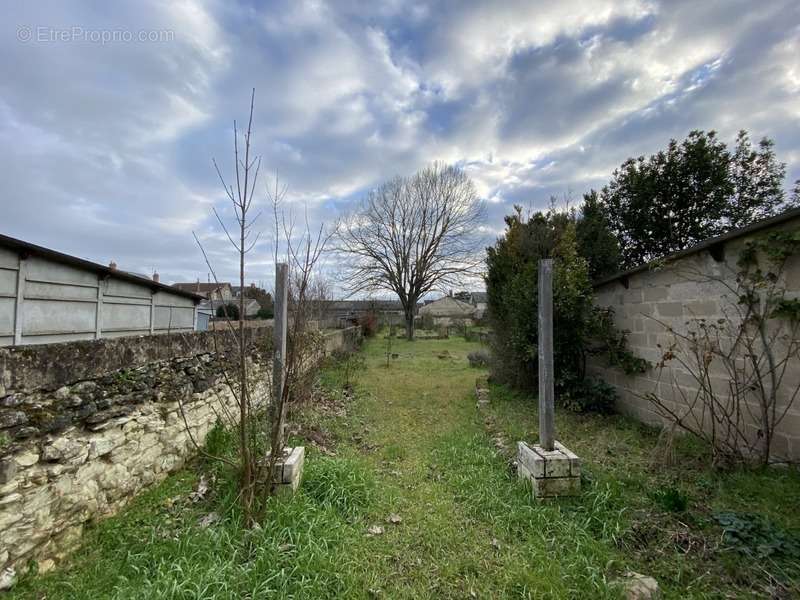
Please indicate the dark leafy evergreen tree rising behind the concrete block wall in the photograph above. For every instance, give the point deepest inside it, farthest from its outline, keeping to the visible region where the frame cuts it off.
(689, 192)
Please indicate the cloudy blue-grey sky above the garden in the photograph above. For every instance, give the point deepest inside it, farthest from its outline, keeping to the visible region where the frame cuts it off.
(111, 112)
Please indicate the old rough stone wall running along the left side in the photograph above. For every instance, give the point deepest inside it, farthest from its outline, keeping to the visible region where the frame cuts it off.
(86, 425)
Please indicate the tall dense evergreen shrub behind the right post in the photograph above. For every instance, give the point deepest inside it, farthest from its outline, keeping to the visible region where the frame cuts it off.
(511, 285)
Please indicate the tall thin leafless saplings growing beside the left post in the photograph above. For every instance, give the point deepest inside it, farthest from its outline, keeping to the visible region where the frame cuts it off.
(260, 422)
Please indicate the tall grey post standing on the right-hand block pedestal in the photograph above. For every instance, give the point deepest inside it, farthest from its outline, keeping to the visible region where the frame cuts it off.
(546, 393)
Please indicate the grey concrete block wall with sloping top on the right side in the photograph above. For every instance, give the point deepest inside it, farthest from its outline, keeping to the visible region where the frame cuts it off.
(650, 301)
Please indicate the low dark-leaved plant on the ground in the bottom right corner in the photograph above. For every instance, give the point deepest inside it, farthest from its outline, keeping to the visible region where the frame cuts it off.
(756, 536)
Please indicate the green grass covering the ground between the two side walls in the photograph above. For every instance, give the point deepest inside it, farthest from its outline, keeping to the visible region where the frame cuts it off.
(413, 444)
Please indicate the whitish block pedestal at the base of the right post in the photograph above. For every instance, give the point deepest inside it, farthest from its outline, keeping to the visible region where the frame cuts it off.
(551, 473)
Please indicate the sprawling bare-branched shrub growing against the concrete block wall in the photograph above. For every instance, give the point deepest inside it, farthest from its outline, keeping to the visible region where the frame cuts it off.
(738, 364)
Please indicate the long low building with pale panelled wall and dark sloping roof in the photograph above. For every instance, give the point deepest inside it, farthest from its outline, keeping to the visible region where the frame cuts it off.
(47, 296)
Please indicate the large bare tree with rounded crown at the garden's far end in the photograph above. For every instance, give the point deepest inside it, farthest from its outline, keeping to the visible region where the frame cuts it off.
(413, 235)
